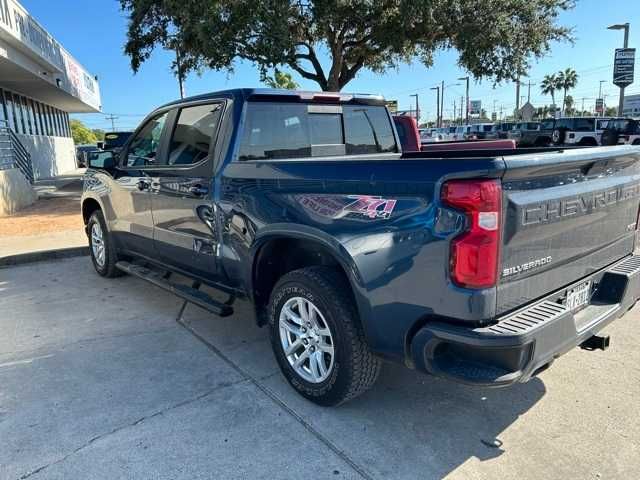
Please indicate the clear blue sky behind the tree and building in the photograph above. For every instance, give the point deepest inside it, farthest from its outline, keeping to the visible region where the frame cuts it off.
(94, 32)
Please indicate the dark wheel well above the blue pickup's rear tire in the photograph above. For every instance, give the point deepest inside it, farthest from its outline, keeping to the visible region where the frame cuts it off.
(280, 256)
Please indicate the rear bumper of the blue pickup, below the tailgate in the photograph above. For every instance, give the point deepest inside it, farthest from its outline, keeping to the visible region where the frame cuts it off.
(525, 342)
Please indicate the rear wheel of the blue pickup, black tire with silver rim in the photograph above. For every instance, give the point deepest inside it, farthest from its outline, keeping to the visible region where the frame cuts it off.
(351, 369)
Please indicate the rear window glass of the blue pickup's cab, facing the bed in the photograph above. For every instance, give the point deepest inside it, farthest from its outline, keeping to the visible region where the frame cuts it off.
(281, 131)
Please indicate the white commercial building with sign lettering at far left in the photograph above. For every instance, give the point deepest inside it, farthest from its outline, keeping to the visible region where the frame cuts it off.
(40, 85)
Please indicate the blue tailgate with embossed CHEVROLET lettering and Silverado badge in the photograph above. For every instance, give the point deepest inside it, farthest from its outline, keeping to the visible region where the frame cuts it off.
(566, 215)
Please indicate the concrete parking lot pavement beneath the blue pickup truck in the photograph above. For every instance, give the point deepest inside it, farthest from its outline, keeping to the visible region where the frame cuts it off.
(99, 380)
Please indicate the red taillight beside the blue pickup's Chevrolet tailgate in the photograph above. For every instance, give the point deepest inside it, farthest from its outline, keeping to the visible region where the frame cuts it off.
(474, 253)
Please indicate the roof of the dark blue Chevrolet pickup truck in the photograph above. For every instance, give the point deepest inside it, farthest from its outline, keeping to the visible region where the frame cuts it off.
(246, 93)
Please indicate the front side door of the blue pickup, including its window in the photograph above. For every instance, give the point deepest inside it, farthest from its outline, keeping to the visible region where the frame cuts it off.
(130, 200)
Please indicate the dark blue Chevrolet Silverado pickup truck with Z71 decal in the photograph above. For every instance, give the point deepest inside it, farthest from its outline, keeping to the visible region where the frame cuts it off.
(479, 266)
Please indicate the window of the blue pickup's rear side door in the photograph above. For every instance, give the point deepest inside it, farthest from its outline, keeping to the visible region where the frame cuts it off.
(193, 133)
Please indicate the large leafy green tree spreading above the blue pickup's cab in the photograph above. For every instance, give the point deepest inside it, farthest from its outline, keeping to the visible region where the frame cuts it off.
(495, 39)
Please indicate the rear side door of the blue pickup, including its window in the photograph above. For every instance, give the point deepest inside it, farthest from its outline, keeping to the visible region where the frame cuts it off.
(185, 225)
